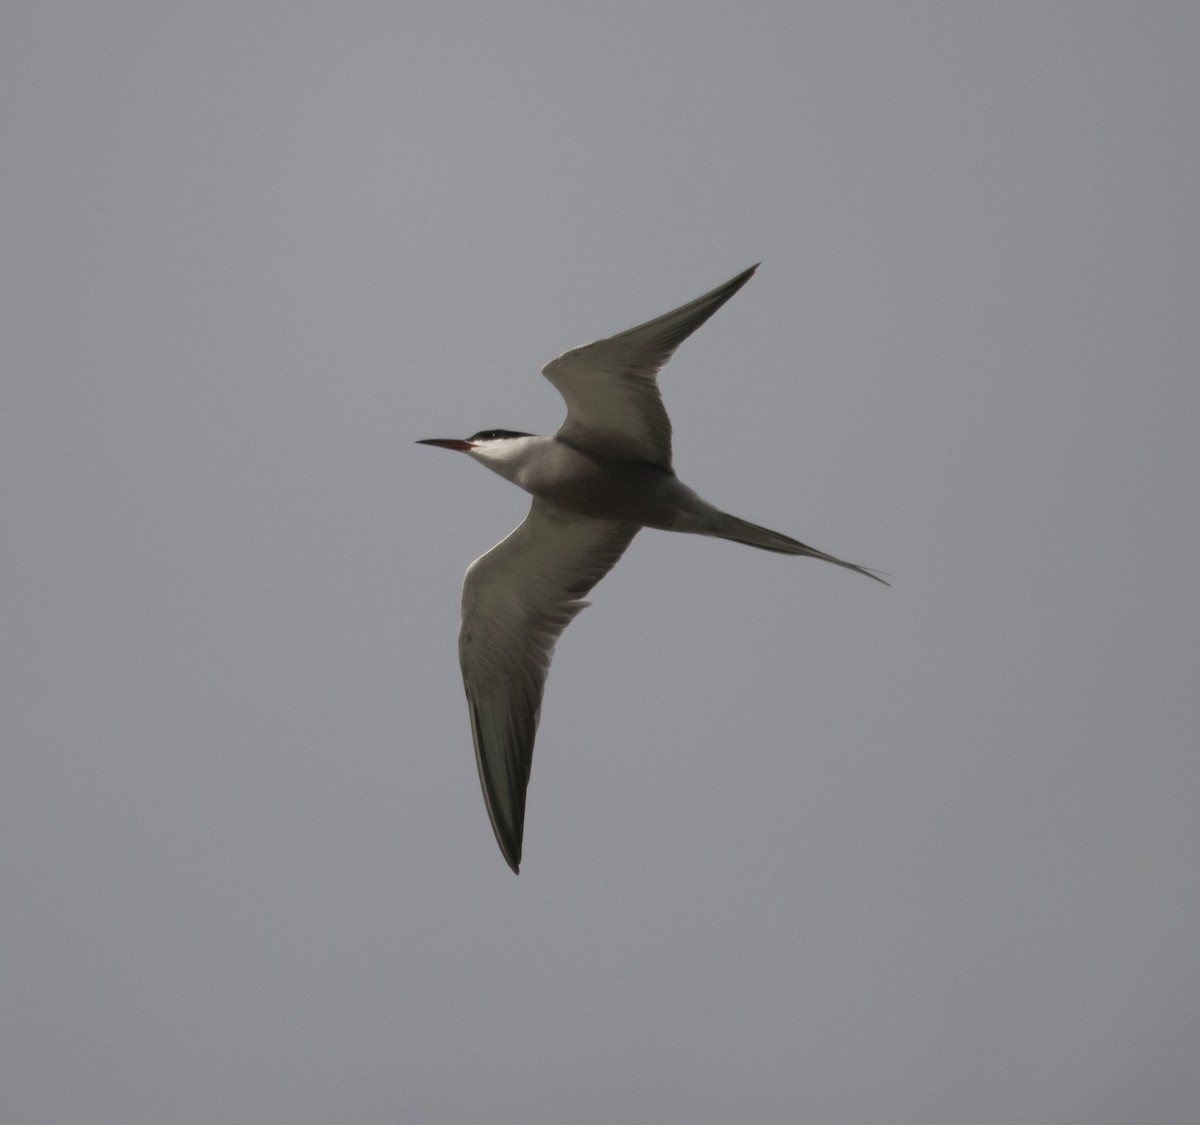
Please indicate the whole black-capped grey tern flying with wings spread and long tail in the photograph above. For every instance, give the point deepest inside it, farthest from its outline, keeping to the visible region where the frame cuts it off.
(596, 484)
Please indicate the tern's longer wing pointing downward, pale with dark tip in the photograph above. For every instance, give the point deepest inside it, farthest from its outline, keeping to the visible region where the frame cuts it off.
(517, 601)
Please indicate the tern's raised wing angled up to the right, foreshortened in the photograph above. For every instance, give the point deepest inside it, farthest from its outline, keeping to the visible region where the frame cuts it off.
(614, 406)
